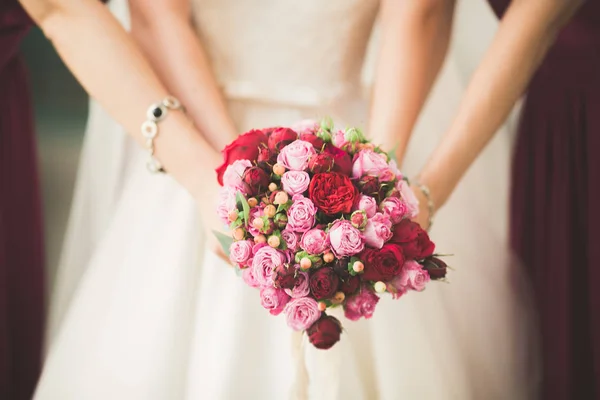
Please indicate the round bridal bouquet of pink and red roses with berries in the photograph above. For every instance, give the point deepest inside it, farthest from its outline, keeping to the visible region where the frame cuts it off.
(321, 218)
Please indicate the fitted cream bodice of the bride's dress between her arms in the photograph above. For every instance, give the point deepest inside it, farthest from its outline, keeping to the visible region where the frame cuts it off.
(307, 51)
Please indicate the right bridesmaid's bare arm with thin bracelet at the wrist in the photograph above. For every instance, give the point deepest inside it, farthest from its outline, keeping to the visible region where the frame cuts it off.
(526, 32)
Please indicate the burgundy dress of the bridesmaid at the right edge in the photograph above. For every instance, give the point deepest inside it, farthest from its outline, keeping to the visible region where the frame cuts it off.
(555, 201)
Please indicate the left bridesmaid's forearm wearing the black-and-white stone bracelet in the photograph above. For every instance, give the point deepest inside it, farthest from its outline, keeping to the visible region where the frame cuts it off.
(108, 64)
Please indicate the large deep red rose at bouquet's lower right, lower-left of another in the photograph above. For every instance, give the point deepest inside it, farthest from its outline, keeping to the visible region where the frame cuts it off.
(382, 264)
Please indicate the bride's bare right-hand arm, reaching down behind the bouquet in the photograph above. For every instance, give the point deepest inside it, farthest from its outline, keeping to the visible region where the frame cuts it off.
(414, 40)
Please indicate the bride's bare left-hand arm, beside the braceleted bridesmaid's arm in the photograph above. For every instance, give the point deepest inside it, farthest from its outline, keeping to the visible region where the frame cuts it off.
(165, 33)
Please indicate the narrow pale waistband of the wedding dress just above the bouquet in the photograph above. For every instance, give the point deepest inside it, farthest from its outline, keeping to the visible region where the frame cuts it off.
(289, 95)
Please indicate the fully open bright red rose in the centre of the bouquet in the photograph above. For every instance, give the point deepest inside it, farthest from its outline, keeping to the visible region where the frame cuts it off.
(332, 193)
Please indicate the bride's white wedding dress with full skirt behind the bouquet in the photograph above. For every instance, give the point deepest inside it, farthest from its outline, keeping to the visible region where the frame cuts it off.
(139, 312)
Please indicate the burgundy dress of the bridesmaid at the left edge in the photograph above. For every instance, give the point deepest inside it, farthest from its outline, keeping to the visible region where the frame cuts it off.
(21, 249)
